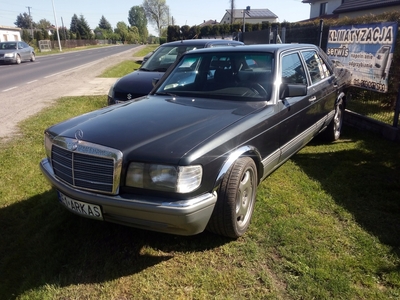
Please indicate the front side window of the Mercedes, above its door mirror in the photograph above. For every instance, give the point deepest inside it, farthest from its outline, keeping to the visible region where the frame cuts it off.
(292, 69)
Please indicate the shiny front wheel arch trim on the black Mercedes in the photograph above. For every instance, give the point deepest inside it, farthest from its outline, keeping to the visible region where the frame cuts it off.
(243, 151)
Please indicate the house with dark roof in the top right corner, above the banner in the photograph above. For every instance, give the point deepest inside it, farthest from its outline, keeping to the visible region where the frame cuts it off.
(349, 8)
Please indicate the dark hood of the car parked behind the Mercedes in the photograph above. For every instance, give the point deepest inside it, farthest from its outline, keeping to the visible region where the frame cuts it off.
(137, 82)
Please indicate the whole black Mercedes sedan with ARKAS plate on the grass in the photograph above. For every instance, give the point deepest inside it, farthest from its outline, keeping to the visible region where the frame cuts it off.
(190, 155)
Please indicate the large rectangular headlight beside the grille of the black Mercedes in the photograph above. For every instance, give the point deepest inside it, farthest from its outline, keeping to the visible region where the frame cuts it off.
(179, 179)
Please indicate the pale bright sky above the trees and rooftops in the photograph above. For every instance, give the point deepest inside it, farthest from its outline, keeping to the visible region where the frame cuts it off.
(184, 12)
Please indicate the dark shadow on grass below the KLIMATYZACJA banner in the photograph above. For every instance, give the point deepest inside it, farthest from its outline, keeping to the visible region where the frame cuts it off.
(364, 180)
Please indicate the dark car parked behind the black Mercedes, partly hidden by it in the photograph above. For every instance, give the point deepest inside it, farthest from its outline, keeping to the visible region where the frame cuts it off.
(139, 82)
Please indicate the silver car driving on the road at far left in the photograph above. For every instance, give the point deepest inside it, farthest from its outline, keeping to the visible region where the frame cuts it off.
(16, 52)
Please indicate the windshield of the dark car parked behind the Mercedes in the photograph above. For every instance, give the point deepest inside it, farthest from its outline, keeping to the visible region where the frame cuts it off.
(164, 57)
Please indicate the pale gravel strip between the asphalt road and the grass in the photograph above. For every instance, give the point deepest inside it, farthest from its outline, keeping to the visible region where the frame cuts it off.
(30, 99)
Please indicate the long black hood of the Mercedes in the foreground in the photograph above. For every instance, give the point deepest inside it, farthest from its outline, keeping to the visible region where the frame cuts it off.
(156, 128)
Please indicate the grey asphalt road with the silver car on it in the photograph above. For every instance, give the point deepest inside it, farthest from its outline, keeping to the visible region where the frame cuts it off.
(15, 76)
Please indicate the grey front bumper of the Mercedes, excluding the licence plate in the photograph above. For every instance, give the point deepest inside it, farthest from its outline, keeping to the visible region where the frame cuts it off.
(183, 217)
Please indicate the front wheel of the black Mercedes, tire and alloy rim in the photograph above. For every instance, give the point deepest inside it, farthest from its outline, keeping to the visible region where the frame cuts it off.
(236, 198)
